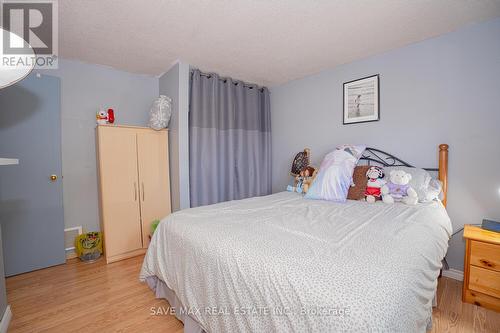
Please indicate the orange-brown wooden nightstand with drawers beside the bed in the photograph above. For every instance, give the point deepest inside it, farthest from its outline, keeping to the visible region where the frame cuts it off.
(482, 268)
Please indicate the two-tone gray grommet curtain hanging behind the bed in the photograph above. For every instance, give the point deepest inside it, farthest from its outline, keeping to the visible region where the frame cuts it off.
(229, 140)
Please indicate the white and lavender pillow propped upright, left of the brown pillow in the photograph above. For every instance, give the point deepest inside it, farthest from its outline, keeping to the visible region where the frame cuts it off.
(335, 174)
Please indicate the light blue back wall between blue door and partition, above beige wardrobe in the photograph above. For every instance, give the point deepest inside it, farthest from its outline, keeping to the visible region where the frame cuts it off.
(85, 88)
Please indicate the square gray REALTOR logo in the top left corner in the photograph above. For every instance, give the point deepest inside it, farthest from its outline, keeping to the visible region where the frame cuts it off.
(36, 23)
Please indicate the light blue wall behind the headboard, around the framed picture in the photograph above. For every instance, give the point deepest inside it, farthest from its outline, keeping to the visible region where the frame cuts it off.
(442, 90)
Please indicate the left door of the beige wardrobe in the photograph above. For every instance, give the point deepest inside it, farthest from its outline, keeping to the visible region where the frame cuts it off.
(119, 191)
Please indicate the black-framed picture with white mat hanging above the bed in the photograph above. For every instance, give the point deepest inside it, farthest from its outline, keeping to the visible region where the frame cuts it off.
(361, 100)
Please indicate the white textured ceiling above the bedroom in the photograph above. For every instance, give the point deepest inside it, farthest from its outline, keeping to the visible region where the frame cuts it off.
(263, 41)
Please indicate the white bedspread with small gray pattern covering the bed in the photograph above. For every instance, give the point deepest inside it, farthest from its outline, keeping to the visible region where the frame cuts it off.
(281, 263)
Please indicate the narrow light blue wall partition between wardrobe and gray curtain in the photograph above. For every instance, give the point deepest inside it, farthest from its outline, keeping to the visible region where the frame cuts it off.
(175, 84)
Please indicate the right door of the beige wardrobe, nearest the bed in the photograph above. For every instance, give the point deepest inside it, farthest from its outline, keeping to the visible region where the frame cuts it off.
(153, 178)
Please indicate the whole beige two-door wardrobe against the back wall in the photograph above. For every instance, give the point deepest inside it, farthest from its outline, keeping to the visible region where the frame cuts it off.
(134, 186)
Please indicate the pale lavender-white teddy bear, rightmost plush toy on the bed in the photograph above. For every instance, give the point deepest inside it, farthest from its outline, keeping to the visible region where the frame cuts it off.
(398, 189)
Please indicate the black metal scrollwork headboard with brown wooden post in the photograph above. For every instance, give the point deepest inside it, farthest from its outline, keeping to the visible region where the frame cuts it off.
(379, 157)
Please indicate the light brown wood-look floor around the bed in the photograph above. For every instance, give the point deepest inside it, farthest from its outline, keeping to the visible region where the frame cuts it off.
(109, 298)
